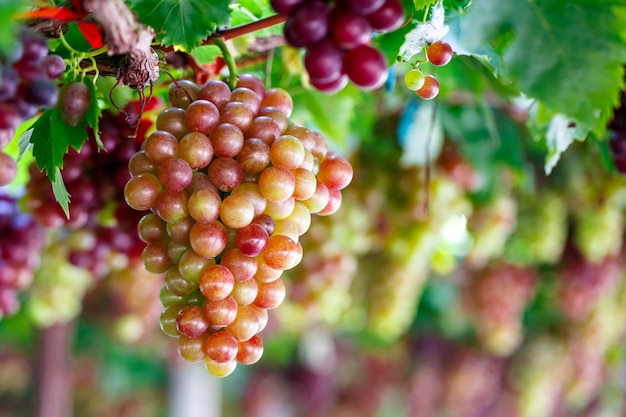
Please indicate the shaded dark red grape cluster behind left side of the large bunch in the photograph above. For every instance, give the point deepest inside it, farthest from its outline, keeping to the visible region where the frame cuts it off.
(95, 181)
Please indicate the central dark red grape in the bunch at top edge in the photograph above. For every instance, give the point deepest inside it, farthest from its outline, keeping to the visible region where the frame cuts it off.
(350, 29)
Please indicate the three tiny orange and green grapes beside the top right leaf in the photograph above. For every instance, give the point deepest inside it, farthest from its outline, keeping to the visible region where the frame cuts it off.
(438, 53)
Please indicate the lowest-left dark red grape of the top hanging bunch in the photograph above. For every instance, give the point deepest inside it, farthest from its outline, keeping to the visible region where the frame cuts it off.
(324, 61)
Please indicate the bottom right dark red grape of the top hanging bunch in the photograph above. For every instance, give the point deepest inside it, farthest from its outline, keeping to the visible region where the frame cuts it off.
(366, 67)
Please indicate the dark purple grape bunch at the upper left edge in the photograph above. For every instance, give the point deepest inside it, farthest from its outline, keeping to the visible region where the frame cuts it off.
(27, 83)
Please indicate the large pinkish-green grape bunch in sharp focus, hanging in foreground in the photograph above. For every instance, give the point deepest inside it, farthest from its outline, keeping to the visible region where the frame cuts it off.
(232, 185)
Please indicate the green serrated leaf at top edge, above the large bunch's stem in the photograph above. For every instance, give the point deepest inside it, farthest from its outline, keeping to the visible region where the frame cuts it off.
(182, 23)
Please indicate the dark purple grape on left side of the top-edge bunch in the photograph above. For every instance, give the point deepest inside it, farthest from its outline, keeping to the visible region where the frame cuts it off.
(308, 24)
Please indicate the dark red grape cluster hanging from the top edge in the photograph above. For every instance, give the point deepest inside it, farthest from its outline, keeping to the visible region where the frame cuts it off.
(337, 39)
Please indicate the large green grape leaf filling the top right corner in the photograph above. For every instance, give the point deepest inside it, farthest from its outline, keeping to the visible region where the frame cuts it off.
(569, 54)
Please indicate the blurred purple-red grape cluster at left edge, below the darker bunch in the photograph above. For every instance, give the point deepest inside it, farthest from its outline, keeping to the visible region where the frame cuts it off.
(21, 240)
